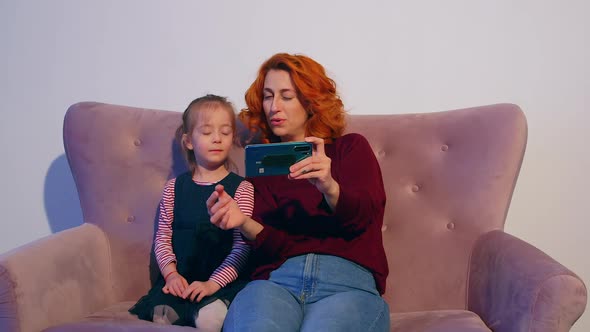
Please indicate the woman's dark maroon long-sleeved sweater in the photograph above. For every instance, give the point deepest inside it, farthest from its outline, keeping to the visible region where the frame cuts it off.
(297, 220)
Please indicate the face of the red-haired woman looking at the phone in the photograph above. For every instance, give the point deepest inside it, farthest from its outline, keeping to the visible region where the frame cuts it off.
(284, 113)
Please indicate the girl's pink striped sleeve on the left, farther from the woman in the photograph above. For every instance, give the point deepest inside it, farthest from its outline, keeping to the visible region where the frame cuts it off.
(163, 240)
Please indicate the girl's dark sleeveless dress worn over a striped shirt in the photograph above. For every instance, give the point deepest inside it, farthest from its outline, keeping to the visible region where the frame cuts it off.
(199, 246)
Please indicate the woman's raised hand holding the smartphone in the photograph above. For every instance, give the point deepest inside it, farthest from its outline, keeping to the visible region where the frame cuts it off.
(317, 169)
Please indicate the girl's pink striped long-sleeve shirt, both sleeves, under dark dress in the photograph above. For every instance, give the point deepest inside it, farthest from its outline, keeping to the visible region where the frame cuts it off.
(238, 256)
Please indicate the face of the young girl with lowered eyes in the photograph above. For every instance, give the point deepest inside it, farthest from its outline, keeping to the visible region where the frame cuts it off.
(212, 136)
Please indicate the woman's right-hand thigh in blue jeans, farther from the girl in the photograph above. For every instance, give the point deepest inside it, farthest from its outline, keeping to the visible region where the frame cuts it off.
(347, 311)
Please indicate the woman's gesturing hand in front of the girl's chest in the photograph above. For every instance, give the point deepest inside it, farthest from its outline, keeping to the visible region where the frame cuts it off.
(224, 210)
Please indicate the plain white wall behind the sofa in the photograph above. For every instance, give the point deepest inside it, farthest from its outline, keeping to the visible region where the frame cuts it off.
(387, 56)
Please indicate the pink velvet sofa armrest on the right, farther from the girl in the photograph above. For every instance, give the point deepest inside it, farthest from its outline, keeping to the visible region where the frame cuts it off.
(514, 286)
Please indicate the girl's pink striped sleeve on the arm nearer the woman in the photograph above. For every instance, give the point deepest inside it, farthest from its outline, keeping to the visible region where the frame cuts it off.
(236, 260)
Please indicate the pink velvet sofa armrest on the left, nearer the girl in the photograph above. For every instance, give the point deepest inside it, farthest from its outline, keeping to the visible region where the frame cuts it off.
(56, 279)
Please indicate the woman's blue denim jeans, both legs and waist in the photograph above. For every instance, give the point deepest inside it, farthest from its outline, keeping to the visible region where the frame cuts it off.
(310, 293)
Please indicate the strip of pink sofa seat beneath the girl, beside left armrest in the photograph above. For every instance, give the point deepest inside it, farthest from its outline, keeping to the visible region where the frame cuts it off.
(115, 318)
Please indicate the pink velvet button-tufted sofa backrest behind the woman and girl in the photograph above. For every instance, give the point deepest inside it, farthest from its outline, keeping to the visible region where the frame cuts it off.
(449, 177)
